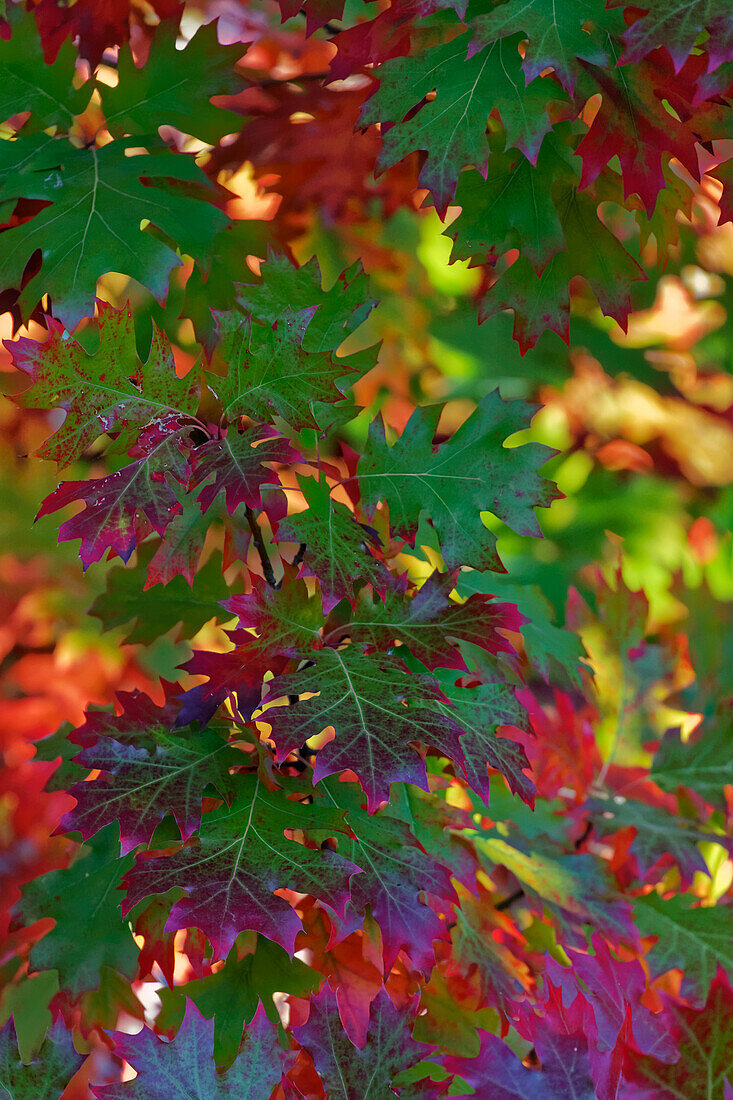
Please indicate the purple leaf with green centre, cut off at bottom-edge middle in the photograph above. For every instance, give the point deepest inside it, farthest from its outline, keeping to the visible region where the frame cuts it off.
(347, 1072)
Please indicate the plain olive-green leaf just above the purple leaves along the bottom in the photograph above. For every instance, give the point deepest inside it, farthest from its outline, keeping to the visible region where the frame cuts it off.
(233, 996)
